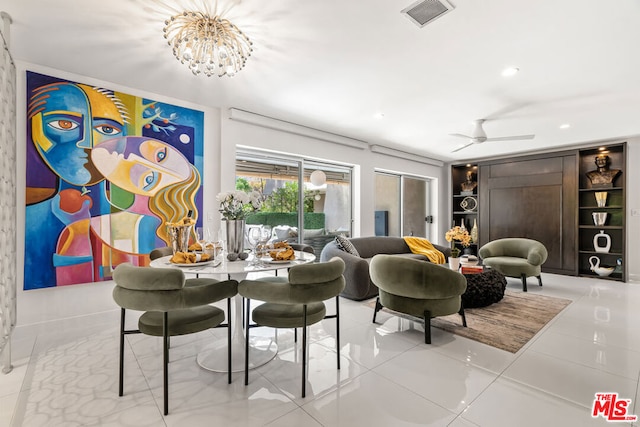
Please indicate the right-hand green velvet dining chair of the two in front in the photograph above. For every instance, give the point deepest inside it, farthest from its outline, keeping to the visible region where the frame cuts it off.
(294, 302)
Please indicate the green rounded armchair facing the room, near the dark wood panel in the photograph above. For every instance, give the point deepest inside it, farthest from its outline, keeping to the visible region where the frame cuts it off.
(515, 257)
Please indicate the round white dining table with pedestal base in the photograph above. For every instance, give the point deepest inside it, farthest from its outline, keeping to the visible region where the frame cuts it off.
(262, 349)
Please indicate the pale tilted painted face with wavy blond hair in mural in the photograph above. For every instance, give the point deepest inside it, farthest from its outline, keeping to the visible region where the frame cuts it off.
(140, 165)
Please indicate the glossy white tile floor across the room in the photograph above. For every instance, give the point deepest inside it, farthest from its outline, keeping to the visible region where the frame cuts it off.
(65, 373)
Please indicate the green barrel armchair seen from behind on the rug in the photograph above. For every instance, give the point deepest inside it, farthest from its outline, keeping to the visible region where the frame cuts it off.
(417, 288)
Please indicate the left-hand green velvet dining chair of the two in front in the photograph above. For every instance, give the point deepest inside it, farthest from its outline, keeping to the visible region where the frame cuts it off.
(172, 306)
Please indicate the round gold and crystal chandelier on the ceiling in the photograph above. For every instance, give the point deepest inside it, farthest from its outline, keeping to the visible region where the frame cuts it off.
(208, 45)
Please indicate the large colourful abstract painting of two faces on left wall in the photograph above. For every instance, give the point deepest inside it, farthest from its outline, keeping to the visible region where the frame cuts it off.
(105, 171)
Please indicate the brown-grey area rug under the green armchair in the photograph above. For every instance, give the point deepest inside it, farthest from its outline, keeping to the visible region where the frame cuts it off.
(508, 324)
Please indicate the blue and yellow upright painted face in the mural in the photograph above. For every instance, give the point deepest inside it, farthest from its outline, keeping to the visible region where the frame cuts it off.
(67, 120)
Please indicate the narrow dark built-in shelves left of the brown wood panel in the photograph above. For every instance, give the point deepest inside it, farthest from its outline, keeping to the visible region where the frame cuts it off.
(465, 203)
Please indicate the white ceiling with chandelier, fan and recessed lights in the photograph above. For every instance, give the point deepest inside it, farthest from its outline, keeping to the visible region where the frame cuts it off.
(333, 64)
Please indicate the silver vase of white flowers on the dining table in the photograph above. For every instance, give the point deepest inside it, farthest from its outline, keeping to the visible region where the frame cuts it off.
(234, 207)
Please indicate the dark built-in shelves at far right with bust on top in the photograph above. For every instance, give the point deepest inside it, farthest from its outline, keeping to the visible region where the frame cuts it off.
(614, 208)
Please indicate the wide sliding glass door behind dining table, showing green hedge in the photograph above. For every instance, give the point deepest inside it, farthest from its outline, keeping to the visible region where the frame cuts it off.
(305, 200)
